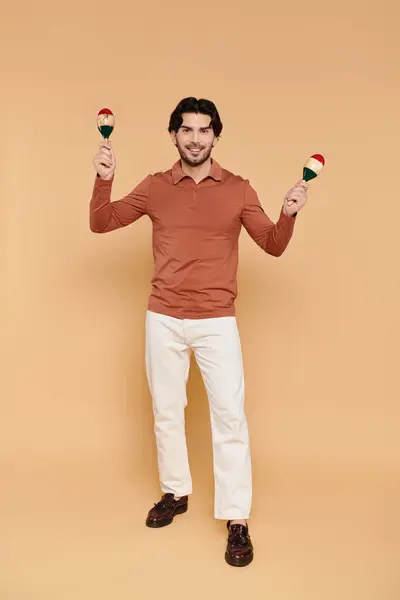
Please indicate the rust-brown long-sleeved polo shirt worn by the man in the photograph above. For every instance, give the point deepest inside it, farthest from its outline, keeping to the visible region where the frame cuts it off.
(196, 229)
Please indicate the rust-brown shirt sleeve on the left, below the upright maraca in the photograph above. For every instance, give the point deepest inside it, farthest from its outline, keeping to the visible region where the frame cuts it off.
(105, 215)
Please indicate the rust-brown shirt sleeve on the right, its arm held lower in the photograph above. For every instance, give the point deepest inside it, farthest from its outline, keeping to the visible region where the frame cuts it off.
(273, 238)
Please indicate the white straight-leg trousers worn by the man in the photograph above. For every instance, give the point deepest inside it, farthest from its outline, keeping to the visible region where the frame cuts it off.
(216, 345)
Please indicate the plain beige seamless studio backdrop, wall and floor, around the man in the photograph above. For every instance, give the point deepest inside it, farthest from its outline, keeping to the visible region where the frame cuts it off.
(319, 326)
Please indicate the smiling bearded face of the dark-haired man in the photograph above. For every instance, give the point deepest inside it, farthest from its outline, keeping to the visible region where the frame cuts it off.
(195, 139)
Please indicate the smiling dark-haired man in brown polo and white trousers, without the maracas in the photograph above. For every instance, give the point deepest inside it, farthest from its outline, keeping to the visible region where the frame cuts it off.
(197, 209)
